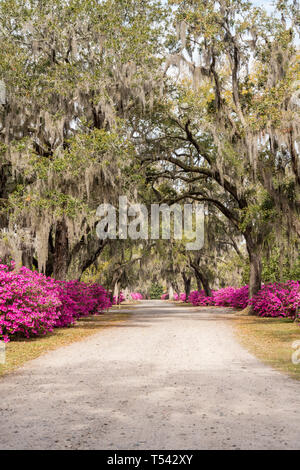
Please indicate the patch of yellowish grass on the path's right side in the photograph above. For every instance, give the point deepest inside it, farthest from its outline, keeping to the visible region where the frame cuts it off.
(270, 339)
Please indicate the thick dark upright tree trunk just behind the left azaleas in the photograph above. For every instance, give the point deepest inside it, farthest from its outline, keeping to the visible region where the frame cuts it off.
(61, 251)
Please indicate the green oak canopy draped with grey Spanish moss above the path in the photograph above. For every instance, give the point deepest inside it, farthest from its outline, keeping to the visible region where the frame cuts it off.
(194, 100)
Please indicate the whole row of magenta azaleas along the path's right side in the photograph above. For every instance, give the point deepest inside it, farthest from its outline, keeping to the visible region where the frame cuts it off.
(273, 300)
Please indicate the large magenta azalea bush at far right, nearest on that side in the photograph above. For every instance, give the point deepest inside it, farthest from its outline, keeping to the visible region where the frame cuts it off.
(277, 300)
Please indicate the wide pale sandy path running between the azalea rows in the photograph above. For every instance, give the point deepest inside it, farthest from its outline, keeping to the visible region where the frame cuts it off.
(168, 378)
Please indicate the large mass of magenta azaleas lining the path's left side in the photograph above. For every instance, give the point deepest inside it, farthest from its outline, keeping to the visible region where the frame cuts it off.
(32, 304)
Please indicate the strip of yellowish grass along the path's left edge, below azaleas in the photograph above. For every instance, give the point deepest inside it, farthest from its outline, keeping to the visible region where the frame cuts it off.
(22, 350)
